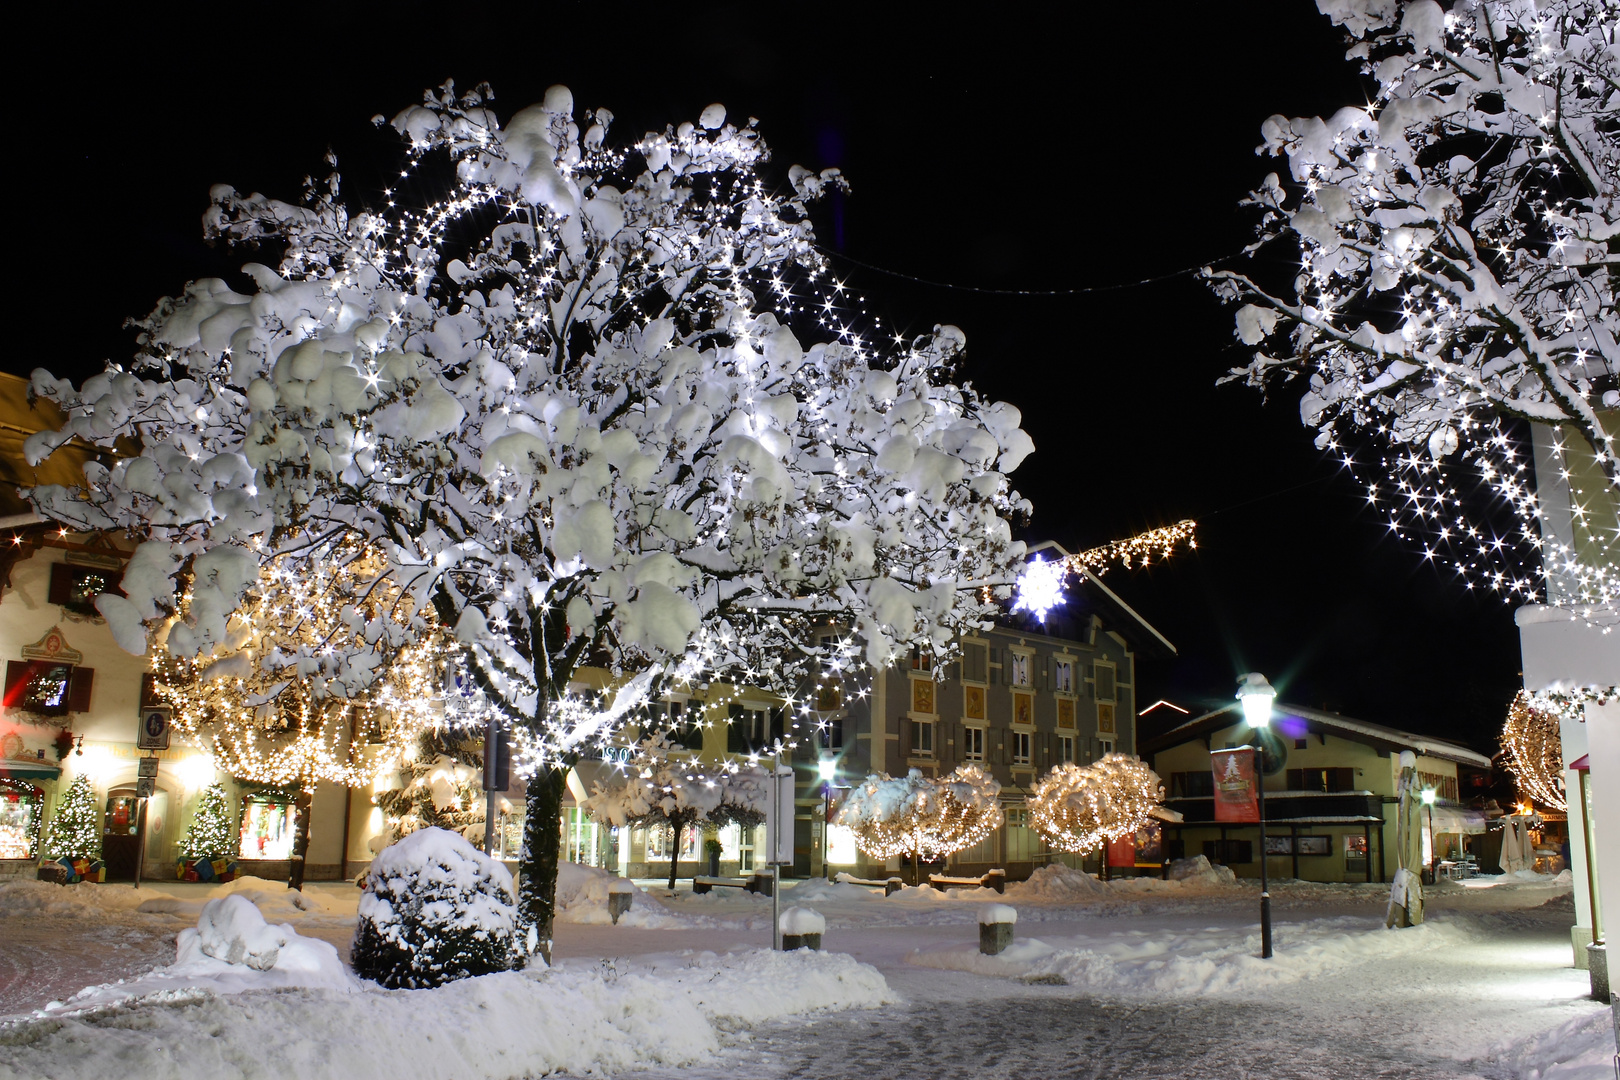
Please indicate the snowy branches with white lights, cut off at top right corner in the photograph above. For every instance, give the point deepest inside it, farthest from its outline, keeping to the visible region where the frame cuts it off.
(1459, 240)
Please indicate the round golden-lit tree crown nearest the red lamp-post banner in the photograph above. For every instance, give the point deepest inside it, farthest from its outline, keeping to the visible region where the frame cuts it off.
(1080, 809)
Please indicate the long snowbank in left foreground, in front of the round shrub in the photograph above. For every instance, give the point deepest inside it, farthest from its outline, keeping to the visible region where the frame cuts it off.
(576, 1021)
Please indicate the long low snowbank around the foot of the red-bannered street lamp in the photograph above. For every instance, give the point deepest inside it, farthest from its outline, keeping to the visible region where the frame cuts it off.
(1203, 961)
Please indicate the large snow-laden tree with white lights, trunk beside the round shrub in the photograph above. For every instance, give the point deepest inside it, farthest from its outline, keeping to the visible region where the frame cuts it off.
(565, 399)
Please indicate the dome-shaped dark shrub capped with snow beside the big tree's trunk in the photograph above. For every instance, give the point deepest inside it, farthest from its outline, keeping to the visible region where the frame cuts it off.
(435, 911)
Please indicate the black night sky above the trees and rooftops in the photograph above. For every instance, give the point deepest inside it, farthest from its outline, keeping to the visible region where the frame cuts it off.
(1000, 150)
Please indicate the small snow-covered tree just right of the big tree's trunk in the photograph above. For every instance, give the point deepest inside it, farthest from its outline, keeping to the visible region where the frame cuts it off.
(660, 791)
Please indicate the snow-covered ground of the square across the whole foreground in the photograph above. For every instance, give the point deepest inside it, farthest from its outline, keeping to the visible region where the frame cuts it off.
(1133, 979)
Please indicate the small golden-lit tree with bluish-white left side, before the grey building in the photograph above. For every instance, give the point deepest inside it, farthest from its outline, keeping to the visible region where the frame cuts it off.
(923, 817)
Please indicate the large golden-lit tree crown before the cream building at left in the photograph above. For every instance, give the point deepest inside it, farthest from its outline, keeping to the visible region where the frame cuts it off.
(268, 712)
